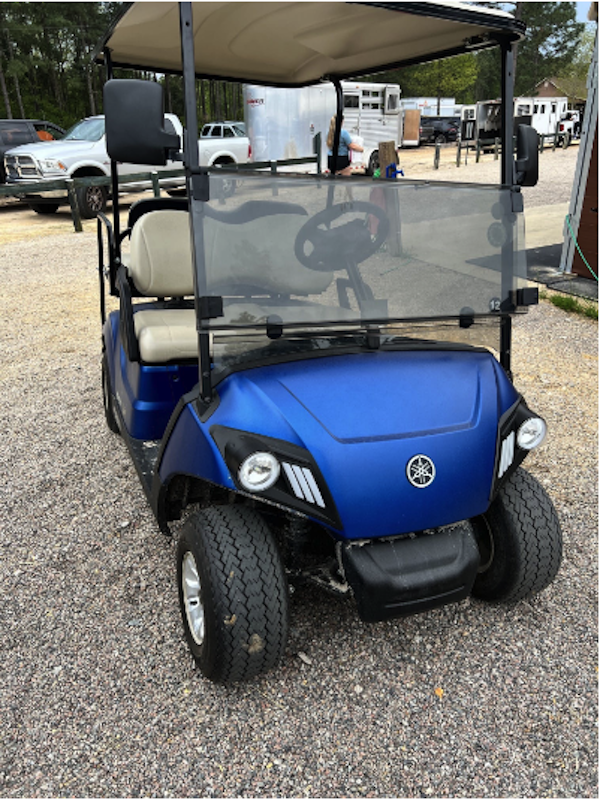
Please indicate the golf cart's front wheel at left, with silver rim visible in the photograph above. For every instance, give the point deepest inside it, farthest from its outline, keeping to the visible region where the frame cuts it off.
(233, 593)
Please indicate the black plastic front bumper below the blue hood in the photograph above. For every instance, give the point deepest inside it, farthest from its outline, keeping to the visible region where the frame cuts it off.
(399, 577)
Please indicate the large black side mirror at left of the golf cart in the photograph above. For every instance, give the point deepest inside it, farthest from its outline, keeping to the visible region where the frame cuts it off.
(135, 124)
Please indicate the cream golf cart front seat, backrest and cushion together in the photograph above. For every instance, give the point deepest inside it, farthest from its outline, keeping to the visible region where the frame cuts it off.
(254, 271)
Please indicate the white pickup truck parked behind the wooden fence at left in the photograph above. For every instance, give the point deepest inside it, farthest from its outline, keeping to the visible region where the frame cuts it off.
(82, 153)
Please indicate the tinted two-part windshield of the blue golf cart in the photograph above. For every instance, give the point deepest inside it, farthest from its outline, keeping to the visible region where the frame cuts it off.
(305, 259)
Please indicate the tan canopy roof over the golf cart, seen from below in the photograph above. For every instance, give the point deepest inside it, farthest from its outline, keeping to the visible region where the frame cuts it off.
(299, 43)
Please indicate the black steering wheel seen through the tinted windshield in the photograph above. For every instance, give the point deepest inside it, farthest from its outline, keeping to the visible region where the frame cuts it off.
(334, 248)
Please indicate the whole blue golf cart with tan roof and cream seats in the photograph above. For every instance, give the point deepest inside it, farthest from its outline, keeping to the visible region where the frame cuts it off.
(318, 367)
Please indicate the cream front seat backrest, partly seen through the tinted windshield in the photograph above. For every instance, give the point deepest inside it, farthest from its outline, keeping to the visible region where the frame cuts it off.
(248, 250)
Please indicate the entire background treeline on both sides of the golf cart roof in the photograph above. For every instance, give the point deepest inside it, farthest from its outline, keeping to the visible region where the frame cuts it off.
(46, 68)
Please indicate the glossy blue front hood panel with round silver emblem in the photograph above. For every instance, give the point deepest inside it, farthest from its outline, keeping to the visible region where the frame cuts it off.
(364, 418)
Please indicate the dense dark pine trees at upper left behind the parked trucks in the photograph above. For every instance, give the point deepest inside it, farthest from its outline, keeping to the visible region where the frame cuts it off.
(46, 68)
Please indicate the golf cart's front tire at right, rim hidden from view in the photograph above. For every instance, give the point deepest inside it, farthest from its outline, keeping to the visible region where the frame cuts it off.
(520, 542)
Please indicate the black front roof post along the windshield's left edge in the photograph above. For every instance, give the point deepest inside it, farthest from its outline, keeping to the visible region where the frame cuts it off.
(197, 184)
